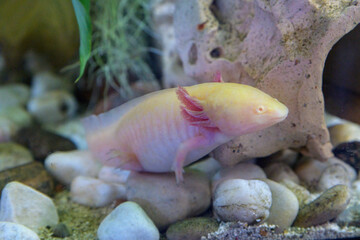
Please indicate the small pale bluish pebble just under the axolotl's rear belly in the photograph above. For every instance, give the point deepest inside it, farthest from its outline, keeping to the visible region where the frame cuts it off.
(114, 175)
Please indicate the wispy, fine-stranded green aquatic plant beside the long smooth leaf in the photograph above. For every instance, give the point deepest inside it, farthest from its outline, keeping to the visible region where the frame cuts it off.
(119, 43)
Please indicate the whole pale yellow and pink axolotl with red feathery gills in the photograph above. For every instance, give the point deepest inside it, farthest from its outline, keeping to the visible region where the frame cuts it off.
(169, 129)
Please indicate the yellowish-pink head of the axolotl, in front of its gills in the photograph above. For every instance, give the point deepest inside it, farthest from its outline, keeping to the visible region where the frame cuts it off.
(238, 109)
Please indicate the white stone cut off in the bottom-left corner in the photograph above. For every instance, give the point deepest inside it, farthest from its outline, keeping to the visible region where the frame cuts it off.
(14, 231)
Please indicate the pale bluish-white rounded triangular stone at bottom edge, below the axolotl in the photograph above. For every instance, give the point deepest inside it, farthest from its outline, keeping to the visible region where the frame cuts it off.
(128, 221)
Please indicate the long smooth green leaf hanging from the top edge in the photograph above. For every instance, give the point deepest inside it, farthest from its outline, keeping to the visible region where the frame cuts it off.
(82, 12)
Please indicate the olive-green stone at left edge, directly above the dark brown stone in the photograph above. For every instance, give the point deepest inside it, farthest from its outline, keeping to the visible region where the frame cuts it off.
(13, 155)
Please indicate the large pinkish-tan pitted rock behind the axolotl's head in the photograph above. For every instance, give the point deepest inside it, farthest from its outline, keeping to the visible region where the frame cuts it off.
(279, 47)
